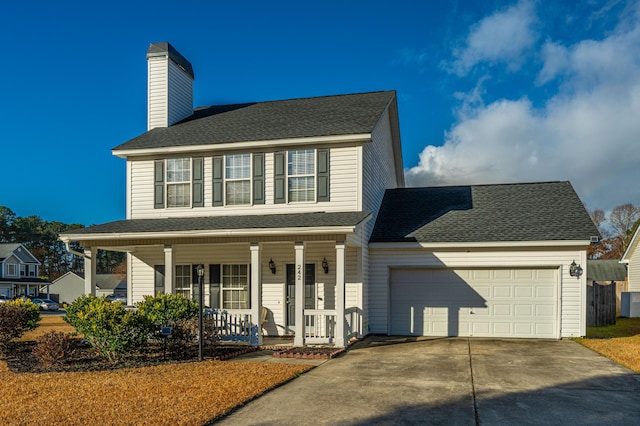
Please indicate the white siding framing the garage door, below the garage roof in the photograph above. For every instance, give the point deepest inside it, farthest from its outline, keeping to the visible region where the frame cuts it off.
(572, 291)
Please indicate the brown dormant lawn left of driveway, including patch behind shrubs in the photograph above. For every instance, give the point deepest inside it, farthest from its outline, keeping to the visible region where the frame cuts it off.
(170, 394)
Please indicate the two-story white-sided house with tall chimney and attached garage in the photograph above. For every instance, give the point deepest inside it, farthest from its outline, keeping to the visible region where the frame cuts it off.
(298, 206)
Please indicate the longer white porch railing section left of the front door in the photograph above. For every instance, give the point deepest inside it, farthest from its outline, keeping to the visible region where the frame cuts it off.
(232, 324)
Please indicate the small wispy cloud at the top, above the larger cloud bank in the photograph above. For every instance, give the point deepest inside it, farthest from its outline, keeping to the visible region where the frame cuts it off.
(498, 38)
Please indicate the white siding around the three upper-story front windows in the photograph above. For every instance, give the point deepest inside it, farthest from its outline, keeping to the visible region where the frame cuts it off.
(343, 172)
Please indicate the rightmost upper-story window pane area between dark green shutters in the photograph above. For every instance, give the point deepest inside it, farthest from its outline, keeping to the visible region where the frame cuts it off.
(301, 175)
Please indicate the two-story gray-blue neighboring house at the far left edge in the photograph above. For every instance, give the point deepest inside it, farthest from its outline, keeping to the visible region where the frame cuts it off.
(19, 272)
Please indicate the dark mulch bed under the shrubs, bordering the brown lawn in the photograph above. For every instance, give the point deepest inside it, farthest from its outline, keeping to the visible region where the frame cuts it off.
(20, 359)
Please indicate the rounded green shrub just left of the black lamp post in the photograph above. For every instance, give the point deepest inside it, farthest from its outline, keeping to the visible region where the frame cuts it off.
(171, 310)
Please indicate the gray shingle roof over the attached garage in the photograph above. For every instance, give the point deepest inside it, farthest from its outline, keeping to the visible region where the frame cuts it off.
(483, 213)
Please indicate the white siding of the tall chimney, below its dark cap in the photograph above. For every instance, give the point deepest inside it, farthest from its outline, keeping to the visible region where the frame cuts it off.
(170, 93)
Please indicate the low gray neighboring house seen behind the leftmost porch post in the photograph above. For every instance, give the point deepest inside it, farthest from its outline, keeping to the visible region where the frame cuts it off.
(70, 286)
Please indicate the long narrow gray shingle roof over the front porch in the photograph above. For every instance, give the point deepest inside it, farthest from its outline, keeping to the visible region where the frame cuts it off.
(300, 220)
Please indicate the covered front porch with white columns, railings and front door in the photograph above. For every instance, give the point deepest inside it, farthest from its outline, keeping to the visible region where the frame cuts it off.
(303, 282)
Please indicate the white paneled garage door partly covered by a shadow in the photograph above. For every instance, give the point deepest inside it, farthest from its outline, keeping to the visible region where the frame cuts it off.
(474, 302)
